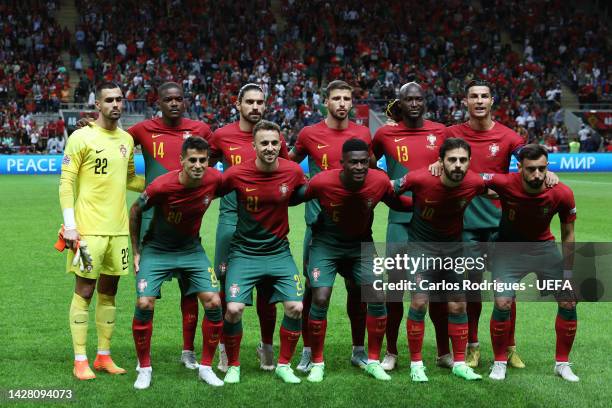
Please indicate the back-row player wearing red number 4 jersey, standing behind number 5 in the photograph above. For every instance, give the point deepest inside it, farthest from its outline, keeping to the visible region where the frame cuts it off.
(322, 143)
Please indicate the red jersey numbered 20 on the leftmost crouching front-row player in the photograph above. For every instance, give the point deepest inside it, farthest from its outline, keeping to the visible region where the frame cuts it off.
(178, 209)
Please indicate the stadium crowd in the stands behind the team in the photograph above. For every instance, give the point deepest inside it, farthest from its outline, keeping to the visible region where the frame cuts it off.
(211, 50)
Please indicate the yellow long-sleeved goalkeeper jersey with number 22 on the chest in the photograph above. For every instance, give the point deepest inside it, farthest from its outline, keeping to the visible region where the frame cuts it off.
(97, 167)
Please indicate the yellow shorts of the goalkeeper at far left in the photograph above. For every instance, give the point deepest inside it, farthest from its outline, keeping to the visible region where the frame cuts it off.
(110, 256)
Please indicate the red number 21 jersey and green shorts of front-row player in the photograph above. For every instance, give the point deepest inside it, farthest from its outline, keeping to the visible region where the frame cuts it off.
(259, 249)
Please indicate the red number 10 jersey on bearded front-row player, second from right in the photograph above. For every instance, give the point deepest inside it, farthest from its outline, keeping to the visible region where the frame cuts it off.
(438, 209)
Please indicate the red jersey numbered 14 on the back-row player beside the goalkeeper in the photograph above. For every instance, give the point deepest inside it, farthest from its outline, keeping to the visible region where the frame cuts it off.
(161, 144)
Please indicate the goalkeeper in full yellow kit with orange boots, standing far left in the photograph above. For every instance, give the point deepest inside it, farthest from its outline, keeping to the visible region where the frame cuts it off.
(97, 167)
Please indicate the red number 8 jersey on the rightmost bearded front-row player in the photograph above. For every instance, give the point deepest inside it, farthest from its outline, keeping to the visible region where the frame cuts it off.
(525, 216)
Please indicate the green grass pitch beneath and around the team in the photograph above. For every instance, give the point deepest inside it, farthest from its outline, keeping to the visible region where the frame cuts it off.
(37, 350)
